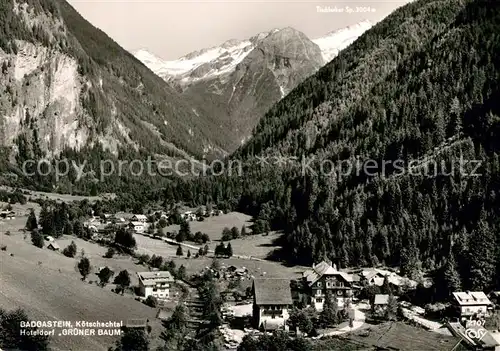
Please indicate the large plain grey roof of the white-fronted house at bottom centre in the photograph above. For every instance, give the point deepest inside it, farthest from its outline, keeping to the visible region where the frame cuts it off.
(272, 291)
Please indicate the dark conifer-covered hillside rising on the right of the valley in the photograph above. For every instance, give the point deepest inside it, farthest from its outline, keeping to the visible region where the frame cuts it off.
(422, 87)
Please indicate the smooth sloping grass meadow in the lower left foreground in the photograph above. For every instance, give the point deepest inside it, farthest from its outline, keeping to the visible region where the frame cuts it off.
(53, 290)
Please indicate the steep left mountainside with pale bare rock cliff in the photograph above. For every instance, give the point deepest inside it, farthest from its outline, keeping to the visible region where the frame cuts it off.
(66, 85)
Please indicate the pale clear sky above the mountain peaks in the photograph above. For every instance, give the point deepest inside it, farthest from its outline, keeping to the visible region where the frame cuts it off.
(173, 28)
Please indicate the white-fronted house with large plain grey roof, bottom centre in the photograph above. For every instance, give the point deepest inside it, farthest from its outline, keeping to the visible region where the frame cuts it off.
(272, 298)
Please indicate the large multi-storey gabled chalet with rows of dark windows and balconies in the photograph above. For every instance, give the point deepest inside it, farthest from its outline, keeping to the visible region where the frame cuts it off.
(325, 277)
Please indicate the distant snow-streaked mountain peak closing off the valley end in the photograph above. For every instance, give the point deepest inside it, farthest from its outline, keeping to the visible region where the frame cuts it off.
(235, 83)
